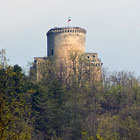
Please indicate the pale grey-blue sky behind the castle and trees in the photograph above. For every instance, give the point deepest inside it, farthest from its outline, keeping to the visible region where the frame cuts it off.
(113, 29)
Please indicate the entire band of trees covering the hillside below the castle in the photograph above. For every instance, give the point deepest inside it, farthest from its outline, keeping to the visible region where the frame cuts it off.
(68, 105)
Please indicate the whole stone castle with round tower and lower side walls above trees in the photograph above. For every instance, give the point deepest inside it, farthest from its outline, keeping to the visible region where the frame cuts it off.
(60, 43)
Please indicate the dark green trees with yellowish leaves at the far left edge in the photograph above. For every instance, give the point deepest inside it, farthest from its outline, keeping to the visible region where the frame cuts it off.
(15, 112)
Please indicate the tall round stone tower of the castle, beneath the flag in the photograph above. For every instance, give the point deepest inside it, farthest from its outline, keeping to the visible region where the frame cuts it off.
(60, 41)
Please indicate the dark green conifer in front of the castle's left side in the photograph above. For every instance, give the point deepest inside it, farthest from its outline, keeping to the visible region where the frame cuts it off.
(48, 106)
